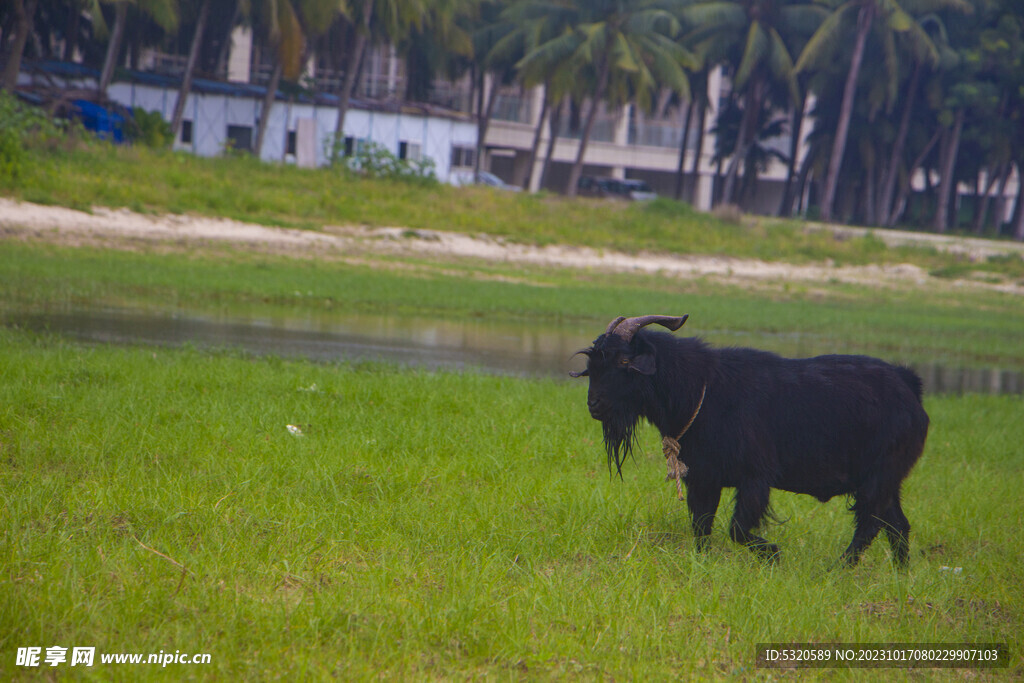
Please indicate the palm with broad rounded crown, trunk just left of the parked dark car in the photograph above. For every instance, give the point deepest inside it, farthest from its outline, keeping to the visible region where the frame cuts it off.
(616, 48)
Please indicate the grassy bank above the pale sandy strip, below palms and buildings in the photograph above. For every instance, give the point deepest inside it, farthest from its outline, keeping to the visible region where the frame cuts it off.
(279, 195)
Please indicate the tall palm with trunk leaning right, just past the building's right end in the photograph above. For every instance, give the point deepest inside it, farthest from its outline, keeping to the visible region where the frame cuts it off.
(891, 20)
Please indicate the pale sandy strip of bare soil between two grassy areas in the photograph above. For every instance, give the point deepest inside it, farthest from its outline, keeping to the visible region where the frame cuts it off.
(121, 229)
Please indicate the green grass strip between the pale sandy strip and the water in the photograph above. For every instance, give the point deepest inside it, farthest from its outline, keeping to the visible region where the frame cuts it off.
(956, 328)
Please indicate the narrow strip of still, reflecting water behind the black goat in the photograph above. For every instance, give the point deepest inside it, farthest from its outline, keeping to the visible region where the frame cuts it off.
(517, 349)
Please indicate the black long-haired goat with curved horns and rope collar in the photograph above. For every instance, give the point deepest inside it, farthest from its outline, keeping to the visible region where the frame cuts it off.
(753, 421)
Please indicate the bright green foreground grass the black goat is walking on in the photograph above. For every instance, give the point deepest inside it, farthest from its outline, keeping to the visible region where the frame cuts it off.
(439, 526)
